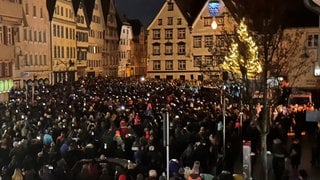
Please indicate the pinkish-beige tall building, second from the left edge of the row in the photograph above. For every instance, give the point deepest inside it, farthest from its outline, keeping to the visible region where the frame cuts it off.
(33, 68)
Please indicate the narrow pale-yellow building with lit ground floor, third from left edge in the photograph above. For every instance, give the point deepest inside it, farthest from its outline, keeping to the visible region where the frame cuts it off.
(63, 40)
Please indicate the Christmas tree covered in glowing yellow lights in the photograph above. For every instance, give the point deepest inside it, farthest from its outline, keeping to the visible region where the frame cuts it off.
(242, 58)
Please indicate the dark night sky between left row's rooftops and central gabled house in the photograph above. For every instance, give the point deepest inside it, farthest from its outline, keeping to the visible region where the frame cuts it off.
(144, 10)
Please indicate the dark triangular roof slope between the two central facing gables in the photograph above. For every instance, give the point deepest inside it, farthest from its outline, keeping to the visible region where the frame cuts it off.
(190, 8)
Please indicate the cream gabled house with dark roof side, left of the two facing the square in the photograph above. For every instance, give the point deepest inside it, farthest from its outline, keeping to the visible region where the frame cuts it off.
(170, 41)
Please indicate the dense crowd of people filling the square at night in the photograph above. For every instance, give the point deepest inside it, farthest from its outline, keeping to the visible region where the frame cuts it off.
(68, 130)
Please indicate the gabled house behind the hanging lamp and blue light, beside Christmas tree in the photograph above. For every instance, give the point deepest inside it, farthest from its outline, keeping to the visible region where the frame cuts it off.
(208, 47)
